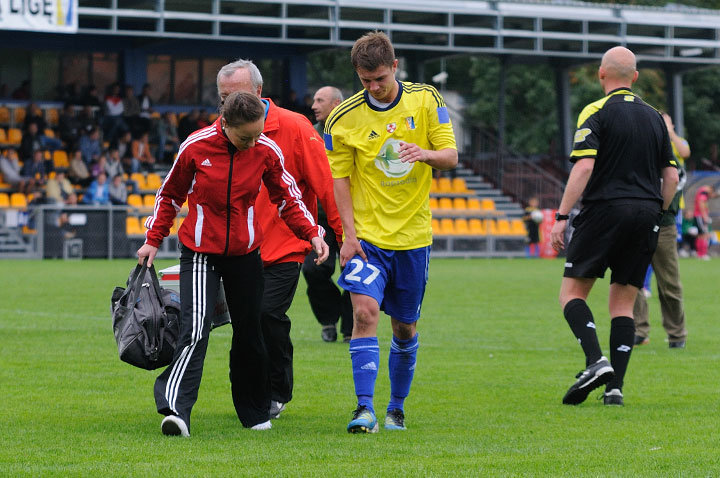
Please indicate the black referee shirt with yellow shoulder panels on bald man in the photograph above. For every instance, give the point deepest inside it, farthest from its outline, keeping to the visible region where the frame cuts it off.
(630, 143)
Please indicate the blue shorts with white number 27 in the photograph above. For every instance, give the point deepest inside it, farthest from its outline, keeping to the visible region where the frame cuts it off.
(396, 279)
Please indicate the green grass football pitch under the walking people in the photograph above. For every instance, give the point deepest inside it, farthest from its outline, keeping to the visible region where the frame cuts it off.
(496, 357)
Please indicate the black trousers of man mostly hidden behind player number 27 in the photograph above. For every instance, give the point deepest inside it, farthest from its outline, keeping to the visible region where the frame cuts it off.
(327, 301)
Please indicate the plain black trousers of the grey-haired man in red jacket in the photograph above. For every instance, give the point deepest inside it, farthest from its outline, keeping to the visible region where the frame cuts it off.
(280, 285)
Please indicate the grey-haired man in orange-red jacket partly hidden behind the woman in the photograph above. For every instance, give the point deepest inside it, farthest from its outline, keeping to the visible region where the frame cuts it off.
(282, 252)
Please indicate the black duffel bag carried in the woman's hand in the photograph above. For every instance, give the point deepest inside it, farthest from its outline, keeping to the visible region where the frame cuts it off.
(145, 320)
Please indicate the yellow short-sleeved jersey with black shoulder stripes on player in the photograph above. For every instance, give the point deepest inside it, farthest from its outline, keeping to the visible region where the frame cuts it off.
(390, 198)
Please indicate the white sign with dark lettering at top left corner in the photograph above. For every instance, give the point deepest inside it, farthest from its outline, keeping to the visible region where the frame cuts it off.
(58, 16)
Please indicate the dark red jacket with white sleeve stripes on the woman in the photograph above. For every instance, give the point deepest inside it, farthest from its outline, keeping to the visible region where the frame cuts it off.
(221, 185)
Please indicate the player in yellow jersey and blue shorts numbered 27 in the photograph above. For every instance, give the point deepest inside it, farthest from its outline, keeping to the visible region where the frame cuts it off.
(383, 143)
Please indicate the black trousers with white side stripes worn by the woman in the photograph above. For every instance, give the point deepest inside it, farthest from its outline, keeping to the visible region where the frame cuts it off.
(176, 389)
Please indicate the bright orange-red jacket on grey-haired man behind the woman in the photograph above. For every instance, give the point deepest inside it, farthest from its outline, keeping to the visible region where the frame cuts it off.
(306, 161)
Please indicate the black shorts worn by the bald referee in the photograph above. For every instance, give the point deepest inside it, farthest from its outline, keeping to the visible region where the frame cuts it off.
(621, 235)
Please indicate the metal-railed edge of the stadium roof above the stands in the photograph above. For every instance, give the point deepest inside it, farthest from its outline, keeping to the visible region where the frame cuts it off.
(571, 30)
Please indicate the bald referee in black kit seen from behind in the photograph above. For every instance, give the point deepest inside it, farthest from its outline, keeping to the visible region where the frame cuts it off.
(621, 153)
